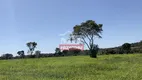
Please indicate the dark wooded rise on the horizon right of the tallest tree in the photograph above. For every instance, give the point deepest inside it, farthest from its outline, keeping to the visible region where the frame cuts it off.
(127, 48)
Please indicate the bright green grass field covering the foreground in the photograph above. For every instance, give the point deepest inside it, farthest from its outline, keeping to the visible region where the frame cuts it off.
(105, 67)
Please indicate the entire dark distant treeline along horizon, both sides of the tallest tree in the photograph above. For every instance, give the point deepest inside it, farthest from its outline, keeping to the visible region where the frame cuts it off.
(126, 48)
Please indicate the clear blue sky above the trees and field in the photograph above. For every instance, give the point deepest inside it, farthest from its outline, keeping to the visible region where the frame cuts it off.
(43, 21)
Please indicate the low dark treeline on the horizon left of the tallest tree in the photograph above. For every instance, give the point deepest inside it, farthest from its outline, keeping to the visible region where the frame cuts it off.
(38, 54)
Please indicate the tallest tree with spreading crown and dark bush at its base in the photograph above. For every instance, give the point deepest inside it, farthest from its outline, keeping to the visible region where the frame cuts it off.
(87, 32)
